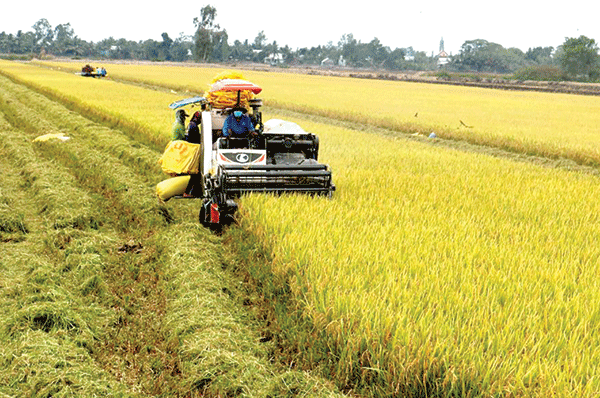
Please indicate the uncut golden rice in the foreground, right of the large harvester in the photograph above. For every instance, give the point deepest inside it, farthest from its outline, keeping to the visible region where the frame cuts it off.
(479, 269)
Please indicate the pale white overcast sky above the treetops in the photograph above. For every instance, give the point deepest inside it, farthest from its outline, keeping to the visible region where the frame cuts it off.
(309, 23)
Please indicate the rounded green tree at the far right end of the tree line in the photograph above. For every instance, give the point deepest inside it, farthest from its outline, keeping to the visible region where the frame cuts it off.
(579, 57)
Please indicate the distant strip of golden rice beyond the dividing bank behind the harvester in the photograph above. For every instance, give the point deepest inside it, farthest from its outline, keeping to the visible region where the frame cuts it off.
(555, 125)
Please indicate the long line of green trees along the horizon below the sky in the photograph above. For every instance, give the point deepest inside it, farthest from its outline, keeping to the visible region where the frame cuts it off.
(575, 59)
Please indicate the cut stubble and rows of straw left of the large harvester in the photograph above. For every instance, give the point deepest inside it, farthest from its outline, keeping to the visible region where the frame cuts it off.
(84, 314)
